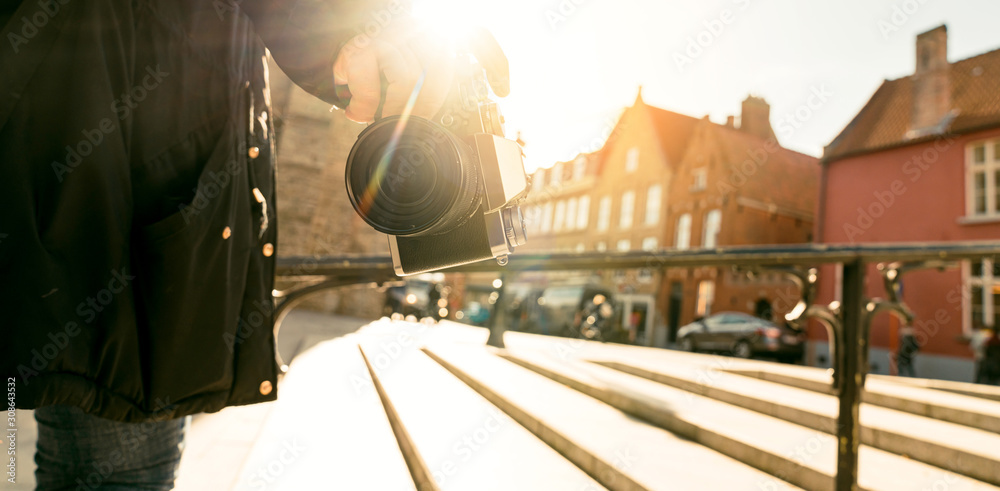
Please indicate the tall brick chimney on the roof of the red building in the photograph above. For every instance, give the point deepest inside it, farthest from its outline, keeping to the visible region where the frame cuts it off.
(931, 82)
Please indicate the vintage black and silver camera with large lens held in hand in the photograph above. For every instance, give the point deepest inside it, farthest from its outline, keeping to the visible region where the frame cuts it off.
(447, 190)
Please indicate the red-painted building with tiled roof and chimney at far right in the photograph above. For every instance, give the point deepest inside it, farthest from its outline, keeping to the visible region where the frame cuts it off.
(921, 162)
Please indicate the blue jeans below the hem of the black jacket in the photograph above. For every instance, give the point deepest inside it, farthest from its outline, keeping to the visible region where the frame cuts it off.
(80, 452)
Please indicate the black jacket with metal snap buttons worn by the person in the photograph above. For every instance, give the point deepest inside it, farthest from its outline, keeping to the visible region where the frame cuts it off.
(136, 257)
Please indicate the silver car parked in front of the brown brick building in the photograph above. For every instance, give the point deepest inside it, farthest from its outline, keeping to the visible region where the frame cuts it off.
(743, 336)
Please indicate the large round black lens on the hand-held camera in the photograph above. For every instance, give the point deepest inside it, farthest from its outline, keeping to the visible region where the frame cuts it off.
(412, 177)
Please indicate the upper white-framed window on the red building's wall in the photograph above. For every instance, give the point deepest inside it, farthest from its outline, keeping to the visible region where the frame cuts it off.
(983, 179)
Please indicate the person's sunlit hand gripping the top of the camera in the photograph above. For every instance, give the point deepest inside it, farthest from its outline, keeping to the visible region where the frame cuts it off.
(411, 59)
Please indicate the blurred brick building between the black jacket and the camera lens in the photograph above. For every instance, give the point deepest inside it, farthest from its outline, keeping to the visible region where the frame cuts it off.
(315, 218)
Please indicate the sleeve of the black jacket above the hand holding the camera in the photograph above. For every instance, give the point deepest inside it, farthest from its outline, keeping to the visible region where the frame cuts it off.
(304, 36)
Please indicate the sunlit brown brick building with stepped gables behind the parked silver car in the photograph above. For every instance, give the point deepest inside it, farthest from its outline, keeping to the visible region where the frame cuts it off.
(664, 180)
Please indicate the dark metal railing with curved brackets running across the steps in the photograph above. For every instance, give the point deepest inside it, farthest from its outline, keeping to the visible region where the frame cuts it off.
(848, 322)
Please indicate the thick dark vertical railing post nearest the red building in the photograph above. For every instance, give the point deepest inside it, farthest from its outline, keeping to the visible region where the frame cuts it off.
(848, 429)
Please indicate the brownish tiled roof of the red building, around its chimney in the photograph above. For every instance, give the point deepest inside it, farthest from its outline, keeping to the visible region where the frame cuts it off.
(885, 120)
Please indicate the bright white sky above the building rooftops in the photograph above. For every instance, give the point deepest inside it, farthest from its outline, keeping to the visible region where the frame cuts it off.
(575, 64)
